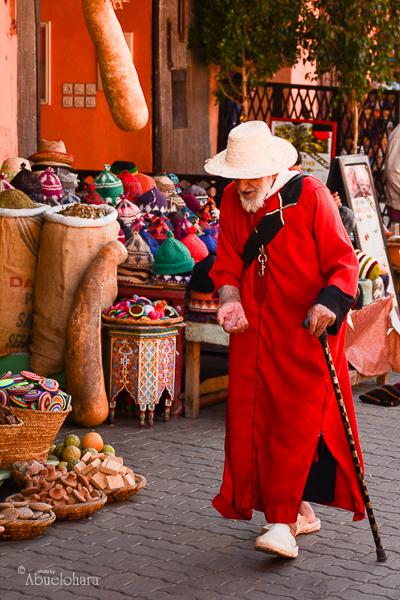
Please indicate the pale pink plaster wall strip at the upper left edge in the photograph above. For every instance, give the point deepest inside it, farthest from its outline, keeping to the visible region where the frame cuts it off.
(8, 87)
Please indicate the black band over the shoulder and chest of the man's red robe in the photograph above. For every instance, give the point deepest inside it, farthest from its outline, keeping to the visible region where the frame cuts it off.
(271, 223)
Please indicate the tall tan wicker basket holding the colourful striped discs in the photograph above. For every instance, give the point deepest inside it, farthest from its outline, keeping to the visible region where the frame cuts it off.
(39, 428)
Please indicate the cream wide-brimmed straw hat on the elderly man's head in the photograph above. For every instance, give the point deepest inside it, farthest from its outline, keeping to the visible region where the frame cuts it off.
(252, 151)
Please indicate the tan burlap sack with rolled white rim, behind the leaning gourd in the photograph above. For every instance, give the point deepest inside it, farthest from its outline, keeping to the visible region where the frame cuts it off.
(67, 247)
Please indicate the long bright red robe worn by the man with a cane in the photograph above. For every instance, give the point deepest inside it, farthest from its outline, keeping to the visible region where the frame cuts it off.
(280, 394)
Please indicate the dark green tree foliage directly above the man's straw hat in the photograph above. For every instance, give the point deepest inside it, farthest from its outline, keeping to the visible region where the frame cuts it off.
(252, 38)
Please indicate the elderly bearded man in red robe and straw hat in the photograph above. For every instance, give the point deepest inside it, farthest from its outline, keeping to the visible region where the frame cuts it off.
(283, 255)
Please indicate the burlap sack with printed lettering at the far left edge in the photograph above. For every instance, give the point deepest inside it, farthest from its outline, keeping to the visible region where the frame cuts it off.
(19, 247)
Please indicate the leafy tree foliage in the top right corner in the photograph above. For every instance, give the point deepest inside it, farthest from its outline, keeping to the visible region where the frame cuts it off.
(356, 40)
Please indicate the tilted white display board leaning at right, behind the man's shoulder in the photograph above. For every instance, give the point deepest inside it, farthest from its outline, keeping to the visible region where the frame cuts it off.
(351, 176)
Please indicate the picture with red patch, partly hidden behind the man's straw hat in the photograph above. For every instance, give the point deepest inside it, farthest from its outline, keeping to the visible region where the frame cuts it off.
(315, 140)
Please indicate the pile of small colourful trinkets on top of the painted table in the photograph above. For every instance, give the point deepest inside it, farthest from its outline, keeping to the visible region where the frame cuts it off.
(143, 311)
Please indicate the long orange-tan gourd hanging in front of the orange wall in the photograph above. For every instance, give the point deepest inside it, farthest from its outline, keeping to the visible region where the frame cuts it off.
(121, 83)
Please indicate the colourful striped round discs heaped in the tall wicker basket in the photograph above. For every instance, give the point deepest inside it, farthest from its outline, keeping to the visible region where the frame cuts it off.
(29, 390)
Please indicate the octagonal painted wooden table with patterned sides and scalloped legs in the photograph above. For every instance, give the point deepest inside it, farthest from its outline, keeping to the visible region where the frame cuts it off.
(142, 361)
